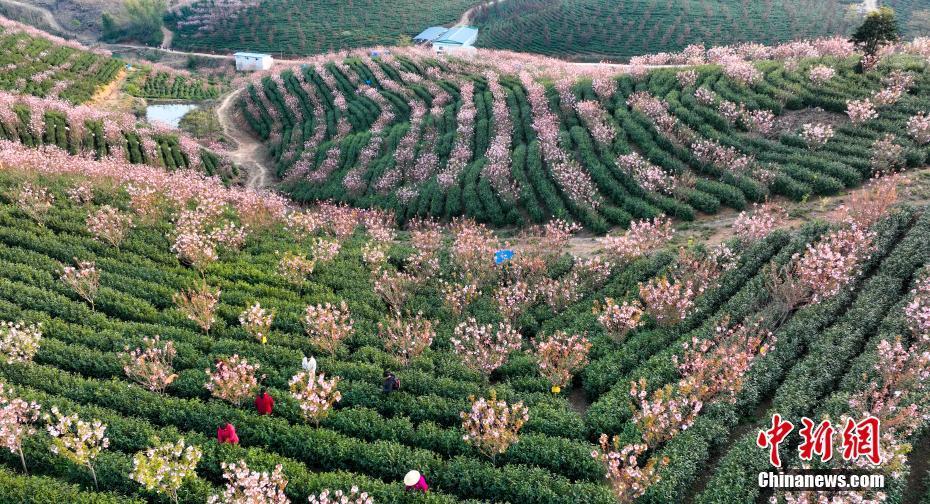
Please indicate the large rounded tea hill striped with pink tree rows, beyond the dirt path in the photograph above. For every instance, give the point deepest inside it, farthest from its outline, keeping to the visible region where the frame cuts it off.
(444, 138)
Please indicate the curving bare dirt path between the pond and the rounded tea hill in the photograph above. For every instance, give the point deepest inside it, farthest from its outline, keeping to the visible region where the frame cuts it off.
(250, 153)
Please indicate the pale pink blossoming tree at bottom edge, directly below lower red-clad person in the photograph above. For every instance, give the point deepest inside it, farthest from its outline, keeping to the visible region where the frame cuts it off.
(245, 486)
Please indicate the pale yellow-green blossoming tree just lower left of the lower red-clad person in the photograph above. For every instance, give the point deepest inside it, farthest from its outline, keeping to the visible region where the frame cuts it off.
(163, 468)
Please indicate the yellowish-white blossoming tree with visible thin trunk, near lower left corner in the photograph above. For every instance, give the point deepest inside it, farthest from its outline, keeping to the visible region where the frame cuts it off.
(76, 440)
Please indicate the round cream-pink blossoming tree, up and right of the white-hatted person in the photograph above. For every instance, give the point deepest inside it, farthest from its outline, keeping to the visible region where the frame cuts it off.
(481, 347)
